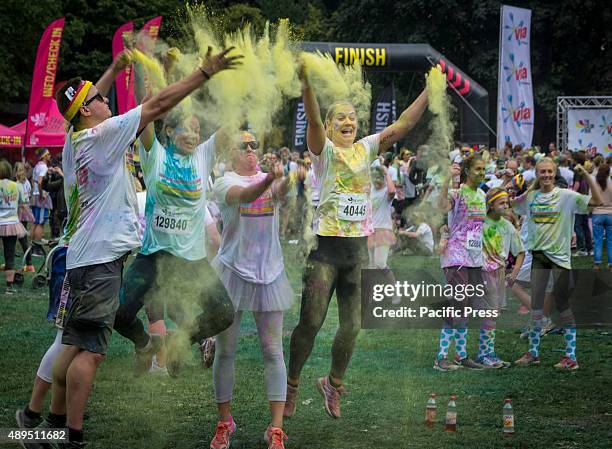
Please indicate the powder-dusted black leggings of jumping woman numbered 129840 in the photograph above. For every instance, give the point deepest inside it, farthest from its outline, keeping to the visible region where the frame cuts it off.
(160, 278)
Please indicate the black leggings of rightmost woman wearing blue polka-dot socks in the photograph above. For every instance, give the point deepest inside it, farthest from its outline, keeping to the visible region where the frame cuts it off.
(541, 267)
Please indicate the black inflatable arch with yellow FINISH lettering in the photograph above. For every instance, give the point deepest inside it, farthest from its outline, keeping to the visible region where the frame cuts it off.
(419, 58)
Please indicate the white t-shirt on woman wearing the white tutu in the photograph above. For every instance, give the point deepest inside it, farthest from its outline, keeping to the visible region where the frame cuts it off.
(250, 244)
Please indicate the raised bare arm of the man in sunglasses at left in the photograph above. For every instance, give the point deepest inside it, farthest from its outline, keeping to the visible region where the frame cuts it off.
(170, 96)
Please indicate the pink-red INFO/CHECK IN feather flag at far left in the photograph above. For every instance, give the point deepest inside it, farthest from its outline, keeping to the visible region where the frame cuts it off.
(45, 124)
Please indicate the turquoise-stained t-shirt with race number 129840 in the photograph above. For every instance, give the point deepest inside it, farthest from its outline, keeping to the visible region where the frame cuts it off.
(176, 199)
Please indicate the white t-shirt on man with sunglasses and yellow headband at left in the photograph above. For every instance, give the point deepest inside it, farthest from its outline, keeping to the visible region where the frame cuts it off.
(107, 216)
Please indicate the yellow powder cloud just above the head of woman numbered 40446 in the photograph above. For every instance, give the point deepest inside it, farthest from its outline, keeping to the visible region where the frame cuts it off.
(332, 82)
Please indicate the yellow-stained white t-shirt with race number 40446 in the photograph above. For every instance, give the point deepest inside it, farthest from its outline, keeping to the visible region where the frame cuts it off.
(345, 209)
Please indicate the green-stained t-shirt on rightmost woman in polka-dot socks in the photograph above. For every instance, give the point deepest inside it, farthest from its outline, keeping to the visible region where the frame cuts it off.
(551, 221)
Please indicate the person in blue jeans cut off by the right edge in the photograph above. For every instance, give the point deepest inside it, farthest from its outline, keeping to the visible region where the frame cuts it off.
(602, 217)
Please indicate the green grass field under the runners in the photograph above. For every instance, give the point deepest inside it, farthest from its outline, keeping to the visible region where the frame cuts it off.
(388, 385)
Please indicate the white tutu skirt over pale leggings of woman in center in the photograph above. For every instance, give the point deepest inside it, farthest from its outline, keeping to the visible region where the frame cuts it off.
(273, 297)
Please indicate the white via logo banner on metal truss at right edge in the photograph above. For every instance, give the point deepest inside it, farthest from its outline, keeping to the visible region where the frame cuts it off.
(590, 130)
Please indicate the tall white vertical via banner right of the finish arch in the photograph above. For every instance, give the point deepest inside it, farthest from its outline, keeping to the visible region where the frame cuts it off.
(515, 96)
